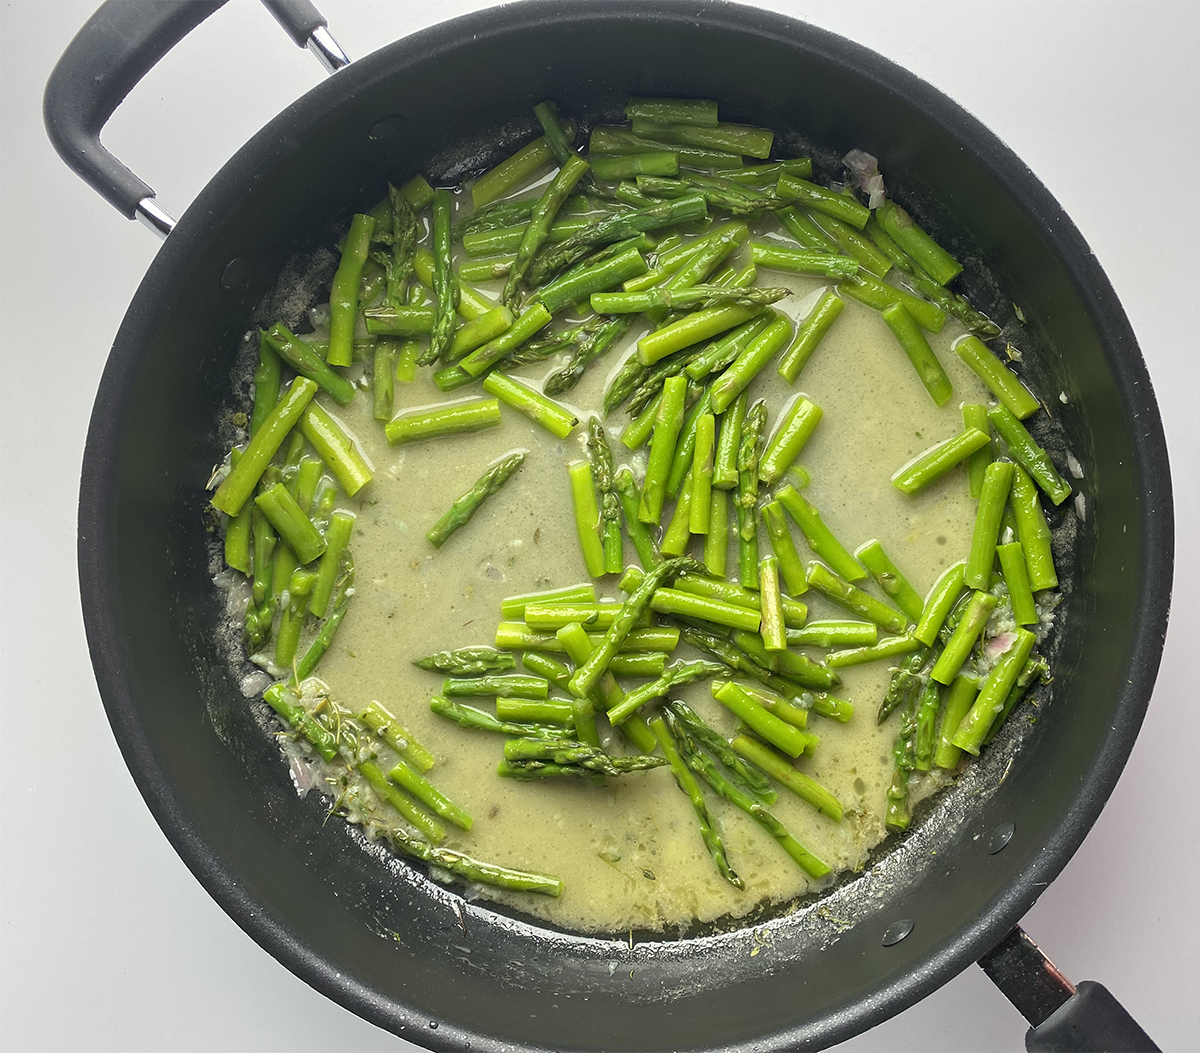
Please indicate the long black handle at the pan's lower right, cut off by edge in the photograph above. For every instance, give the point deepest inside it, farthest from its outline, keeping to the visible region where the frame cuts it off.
(1065, 1019)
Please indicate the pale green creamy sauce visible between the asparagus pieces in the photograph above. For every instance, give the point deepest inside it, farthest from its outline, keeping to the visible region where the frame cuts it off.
(631, 853)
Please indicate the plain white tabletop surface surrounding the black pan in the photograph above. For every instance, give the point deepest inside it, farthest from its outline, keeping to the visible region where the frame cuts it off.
(107, 941)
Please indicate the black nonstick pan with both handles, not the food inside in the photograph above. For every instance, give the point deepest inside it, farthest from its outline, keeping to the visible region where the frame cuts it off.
(461, 976)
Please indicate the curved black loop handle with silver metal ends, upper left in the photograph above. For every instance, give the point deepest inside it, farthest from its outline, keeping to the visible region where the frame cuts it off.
(116, 49)
